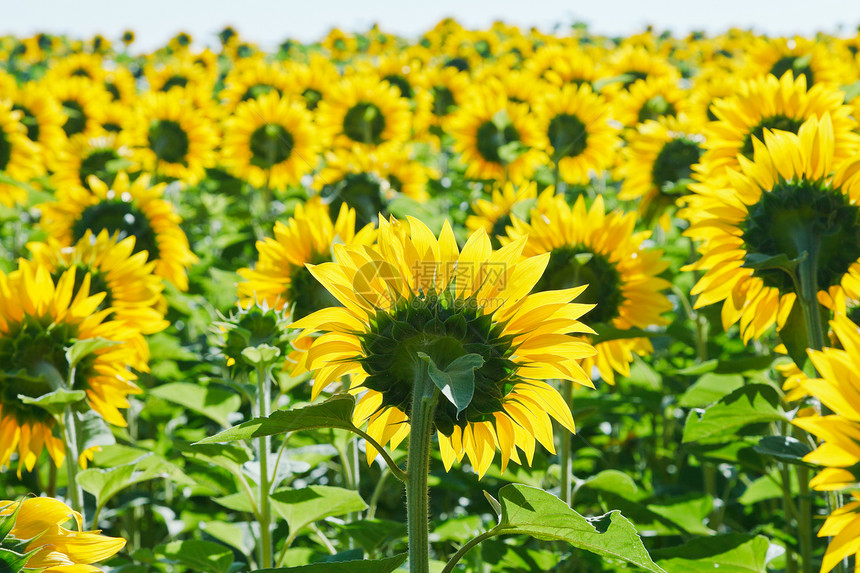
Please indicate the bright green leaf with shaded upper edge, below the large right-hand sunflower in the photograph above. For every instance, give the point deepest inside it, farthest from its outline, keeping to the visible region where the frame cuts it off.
(751, 404)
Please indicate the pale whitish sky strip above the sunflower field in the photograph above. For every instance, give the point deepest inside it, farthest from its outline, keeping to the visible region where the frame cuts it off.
(269, 22)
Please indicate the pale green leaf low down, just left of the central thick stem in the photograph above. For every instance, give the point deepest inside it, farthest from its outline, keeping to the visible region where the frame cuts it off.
(301, 507)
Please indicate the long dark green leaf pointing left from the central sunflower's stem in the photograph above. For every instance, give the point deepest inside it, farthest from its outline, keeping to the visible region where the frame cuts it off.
(336, 412)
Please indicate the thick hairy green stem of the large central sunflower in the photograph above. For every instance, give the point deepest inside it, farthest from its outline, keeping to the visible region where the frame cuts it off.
(424, 397)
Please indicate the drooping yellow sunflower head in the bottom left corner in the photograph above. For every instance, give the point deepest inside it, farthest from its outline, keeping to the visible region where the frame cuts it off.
(38, 525)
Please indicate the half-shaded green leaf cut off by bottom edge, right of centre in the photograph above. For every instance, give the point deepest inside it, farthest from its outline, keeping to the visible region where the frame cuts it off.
(731, 553)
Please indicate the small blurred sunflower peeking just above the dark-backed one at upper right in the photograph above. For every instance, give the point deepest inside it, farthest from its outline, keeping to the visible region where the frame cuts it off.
(650, 99)
